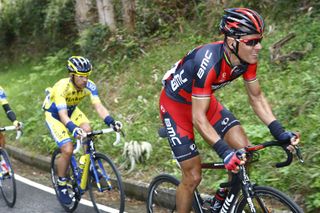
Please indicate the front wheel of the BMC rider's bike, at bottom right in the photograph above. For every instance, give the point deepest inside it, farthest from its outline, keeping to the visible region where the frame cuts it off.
(268, 199)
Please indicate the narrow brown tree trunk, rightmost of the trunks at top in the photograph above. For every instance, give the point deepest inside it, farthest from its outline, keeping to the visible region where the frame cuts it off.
(128, 14)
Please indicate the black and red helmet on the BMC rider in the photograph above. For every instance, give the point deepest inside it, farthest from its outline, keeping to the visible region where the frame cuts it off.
(240, 22)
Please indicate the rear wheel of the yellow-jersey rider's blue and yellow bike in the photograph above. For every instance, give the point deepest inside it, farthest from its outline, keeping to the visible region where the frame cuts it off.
(71, 183)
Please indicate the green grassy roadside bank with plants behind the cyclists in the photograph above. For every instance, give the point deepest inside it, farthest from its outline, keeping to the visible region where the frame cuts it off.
(128, 70)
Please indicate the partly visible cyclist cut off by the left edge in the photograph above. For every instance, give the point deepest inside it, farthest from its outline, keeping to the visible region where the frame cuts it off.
(10, 114)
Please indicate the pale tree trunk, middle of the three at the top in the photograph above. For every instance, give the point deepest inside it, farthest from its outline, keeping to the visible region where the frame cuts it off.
(106, 13)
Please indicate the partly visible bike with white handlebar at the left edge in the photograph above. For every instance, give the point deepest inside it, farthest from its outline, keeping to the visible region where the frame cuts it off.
(7, 180)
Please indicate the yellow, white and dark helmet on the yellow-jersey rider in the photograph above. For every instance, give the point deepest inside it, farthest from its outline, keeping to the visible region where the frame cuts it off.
(79, 65)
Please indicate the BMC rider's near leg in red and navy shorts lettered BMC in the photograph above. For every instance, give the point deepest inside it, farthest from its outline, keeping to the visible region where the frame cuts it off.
(177, 119)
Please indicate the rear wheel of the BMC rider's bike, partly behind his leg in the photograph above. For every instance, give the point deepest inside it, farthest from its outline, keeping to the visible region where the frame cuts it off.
(162, 195)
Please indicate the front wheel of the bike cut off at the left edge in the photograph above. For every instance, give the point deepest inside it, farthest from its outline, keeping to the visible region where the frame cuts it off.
(8, 181)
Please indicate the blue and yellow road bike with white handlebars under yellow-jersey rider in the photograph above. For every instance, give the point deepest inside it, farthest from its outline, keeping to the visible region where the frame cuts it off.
(99, 176)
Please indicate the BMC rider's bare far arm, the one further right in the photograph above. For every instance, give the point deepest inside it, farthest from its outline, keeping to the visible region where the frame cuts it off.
(259, 103)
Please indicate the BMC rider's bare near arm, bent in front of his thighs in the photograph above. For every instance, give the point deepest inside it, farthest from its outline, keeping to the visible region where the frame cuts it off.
(200, 107)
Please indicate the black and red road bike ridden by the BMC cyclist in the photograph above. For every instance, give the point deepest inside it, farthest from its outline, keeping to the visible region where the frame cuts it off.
(243, 195)
